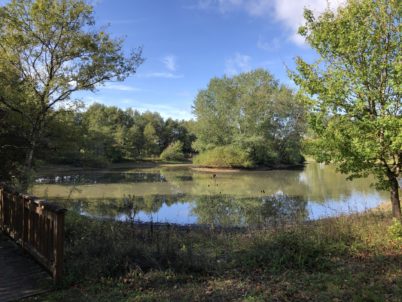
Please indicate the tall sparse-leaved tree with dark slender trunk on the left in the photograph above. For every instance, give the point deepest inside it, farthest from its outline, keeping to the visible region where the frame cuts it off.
(49, 50)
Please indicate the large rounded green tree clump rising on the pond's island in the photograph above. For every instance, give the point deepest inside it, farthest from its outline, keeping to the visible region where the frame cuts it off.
(253, 112)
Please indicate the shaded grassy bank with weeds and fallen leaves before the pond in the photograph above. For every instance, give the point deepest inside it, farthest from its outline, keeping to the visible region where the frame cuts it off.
(350, 258)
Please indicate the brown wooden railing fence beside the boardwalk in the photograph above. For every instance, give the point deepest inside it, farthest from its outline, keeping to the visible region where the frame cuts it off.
(37, 226)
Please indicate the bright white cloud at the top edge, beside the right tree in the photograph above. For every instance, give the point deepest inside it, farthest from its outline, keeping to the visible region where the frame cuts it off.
(288, 12)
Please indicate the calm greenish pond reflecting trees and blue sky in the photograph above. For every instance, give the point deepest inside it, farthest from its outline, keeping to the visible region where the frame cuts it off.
(184, 195)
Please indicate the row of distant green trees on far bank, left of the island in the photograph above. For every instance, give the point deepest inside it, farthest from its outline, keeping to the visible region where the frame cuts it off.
(102, 134)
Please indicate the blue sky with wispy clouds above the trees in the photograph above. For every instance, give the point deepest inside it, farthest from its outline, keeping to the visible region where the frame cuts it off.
(188, 42)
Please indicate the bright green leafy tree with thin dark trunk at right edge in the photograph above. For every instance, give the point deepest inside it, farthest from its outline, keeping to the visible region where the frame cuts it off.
(355, 90)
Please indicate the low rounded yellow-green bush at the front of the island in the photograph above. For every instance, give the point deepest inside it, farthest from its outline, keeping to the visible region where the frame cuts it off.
(224, 157)
